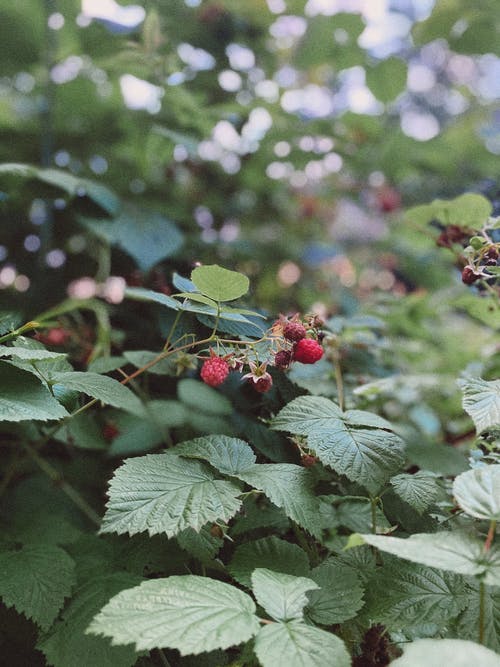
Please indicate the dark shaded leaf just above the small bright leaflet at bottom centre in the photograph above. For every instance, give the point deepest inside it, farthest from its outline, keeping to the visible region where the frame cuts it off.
(270, 553)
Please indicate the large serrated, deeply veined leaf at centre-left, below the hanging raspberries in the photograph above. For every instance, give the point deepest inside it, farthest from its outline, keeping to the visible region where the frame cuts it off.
(163, 493)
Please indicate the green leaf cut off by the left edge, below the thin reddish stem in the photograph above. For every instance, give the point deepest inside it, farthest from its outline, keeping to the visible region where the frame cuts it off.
(24, 397)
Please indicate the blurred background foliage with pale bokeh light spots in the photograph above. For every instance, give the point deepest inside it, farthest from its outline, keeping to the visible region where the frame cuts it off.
(281, 138)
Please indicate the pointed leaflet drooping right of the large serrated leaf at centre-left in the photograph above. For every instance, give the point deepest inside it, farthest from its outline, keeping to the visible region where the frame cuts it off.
(290, 487)
